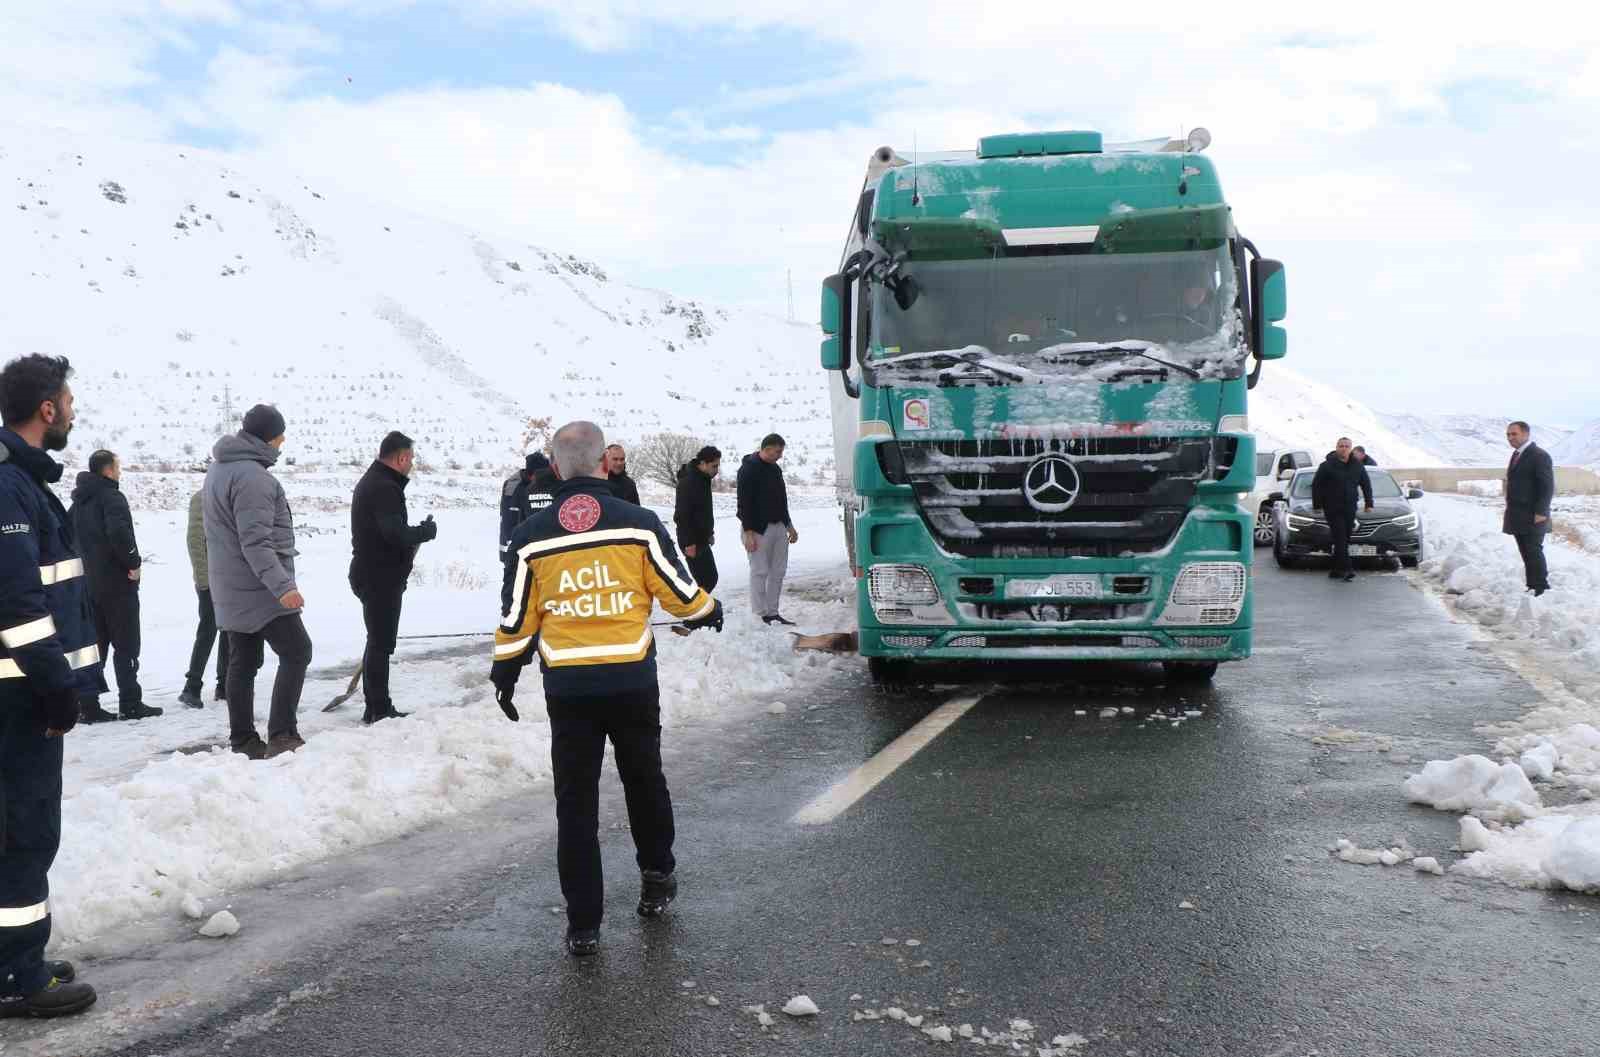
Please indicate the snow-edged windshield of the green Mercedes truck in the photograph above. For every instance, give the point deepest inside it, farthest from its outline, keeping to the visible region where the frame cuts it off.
(1068, 313)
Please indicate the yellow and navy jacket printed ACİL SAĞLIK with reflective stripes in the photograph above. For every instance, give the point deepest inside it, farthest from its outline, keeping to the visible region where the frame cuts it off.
(582, 586)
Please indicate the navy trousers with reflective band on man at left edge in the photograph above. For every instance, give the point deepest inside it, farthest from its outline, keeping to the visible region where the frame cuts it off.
(30, 837)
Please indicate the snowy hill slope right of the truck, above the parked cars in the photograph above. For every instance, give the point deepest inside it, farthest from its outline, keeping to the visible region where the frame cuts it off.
(1289, 410)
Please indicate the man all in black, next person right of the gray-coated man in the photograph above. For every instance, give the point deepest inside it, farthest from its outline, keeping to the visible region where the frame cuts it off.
(385, 544)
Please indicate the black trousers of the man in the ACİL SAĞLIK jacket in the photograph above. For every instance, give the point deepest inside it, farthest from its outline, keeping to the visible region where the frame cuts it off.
(580, 728)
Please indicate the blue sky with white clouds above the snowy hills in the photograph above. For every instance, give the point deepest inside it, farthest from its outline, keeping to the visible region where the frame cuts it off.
(1426, 181)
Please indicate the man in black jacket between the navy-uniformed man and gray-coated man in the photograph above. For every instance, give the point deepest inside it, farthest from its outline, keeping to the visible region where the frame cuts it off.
(111, 565)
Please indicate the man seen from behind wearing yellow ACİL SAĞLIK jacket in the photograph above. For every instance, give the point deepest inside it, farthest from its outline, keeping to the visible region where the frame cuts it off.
(582, 580)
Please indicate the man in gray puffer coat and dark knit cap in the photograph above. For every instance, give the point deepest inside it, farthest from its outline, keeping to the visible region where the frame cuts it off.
(250, 560)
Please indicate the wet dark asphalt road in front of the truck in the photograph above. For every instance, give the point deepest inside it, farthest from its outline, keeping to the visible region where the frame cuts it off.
(1041, 861)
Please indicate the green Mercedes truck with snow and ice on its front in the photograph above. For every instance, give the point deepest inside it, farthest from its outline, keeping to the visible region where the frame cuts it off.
(1039, 359)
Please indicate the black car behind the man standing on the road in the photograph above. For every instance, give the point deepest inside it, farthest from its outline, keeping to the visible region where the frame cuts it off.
(1390, 530)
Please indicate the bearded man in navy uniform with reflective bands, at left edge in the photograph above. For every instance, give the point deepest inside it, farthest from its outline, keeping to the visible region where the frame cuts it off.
(49, 658)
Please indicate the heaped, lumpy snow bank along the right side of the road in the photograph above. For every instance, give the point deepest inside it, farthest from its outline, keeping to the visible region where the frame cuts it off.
(1534, 820)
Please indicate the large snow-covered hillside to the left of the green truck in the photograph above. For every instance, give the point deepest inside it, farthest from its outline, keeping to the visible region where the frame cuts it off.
(185, 290)
